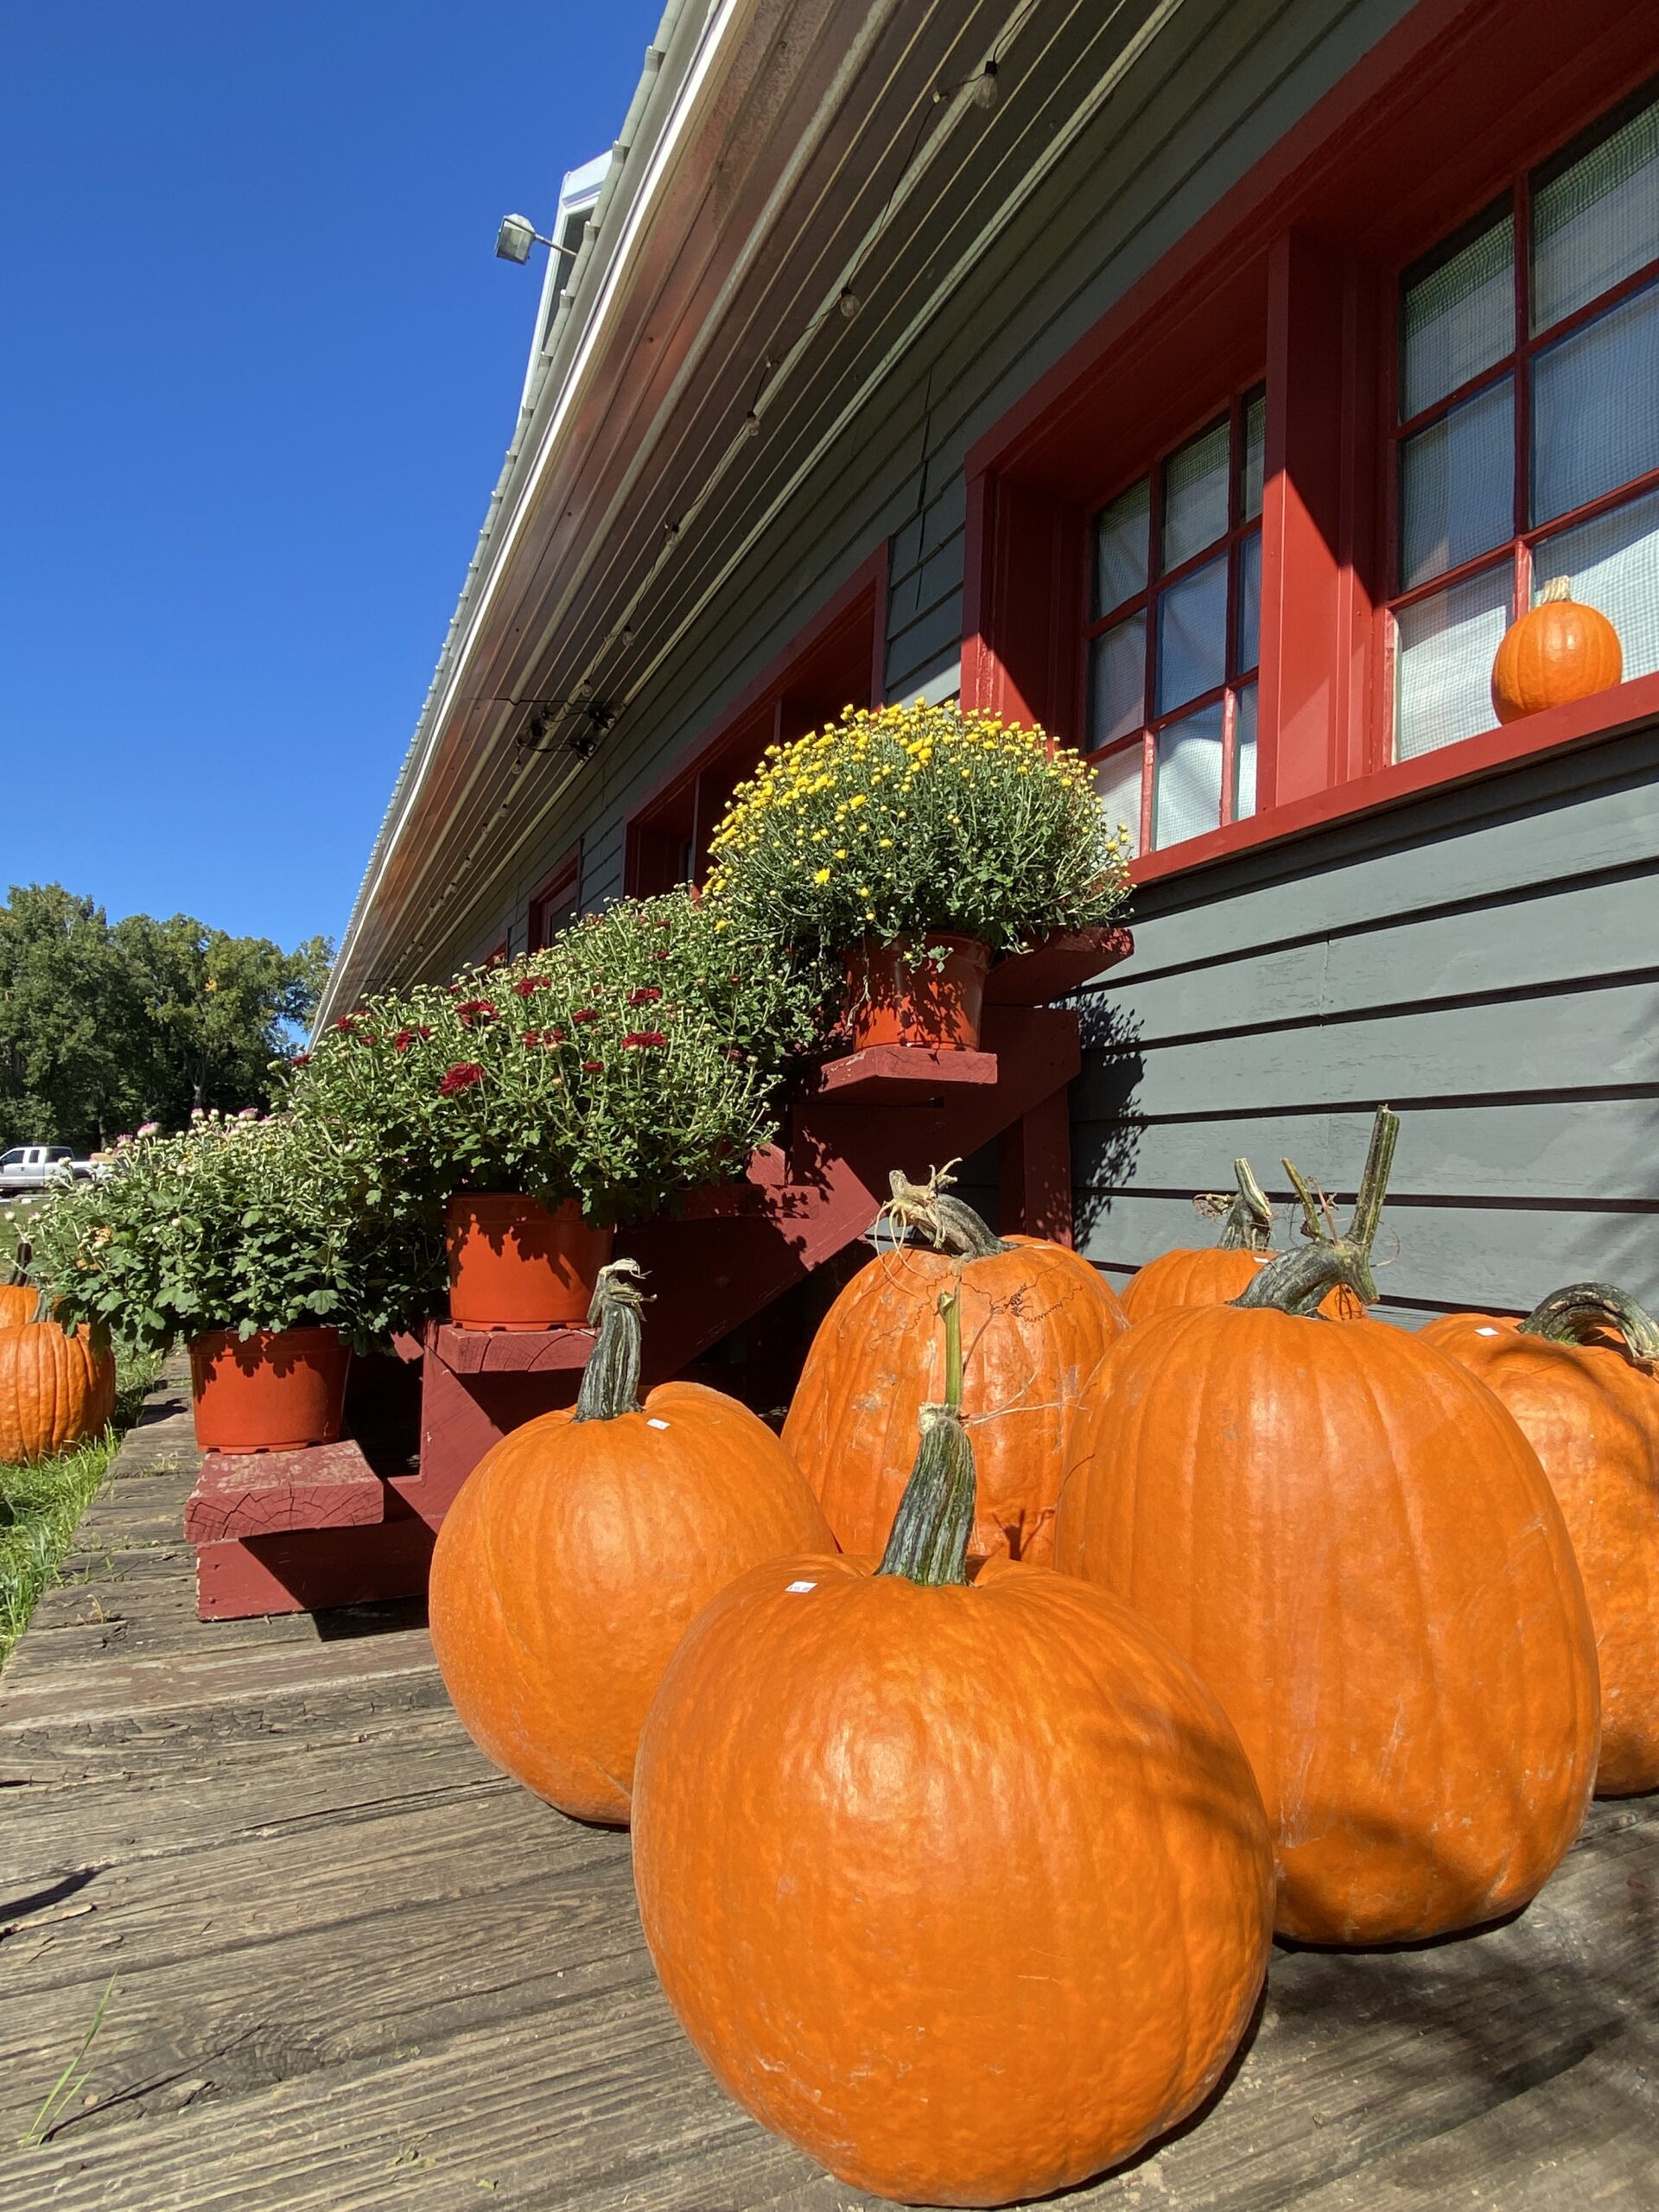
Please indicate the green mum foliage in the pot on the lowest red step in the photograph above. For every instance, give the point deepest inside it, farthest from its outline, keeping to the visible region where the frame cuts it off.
(238, 1224)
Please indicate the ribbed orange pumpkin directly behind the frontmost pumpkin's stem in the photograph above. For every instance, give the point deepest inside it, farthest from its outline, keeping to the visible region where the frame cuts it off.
(1036, 1319)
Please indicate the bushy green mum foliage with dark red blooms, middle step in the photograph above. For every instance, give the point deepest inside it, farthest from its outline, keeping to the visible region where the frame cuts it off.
(629, 1063)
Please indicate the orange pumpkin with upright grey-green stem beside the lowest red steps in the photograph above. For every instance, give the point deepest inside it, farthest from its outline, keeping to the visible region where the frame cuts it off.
(585, 1545)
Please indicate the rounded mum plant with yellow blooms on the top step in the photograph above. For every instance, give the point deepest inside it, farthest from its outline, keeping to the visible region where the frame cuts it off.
(910, 820)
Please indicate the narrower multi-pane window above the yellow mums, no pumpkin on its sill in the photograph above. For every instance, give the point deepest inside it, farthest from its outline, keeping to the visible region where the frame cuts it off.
(1173, 636)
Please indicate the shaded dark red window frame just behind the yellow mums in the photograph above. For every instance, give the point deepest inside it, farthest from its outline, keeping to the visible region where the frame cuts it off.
(857, 612)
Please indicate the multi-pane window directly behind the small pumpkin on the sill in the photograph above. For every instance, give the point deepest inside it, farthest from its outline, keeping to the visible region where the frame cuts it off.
(1527, 437)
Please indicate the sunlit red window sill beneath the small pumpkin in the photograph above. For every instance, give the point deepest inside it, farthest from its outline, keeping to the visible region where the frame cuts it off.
(1583, 722)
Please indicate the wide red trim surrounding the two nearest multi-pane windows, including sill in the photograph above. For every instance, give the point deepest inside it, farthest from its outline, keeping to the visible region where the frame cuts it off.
(1417, 138)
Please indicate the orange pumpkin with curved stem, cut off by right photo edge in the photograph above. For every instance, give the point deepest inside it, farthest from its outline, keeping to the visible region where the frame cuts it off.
(1580, 1379)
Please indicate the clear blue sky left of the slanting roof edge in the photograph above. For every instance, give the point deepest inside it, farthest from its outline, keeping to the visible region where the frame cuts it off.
(258, 377)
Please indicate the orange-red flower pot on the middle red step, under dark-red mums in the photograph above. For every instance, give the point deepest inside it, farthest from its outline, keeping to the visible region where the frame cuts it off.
(519, 1266)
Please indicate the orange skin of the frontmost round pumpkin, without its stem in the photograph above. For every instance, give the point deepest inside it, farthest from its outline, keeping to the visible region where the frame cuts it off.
(963, 1890)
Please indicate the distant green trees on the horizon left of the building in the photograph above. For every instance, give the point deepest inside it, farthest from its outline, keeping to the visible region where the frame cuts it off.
(107, 1025)
